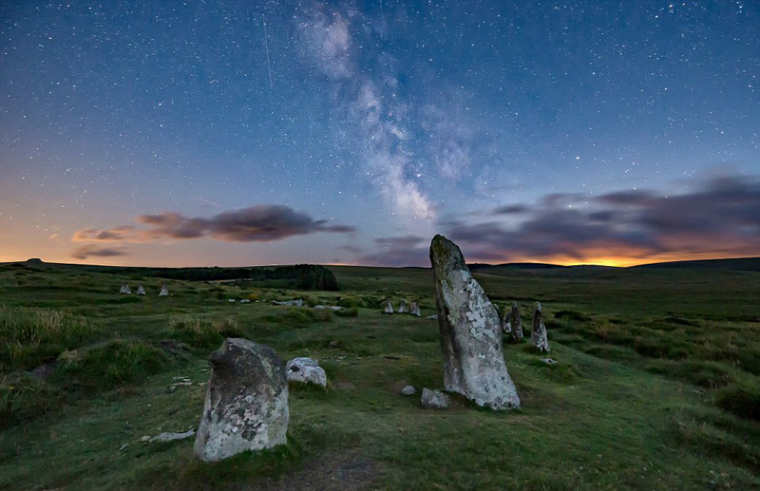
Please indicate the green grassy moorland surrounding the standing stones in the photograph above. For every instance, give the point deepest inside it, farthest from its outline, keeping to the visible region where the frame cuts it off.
(657, 385)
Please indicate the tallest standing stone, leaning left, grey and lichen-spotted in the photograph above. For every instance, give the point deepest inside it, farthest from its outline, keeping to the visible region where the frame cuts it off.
(470, 332)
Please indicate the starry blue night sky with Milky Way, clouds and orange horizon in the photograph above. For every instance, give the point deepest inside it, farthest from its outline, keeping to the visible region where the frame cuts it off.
(243, 133)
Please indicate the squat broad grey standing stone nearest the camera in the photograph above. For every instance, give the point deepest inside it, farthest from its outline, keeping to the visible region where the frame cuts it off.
(246, 405)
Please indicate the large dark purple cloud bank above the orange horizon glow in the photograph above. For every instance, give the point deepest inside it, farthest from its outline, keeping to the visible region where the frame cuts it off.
(718, 217)
